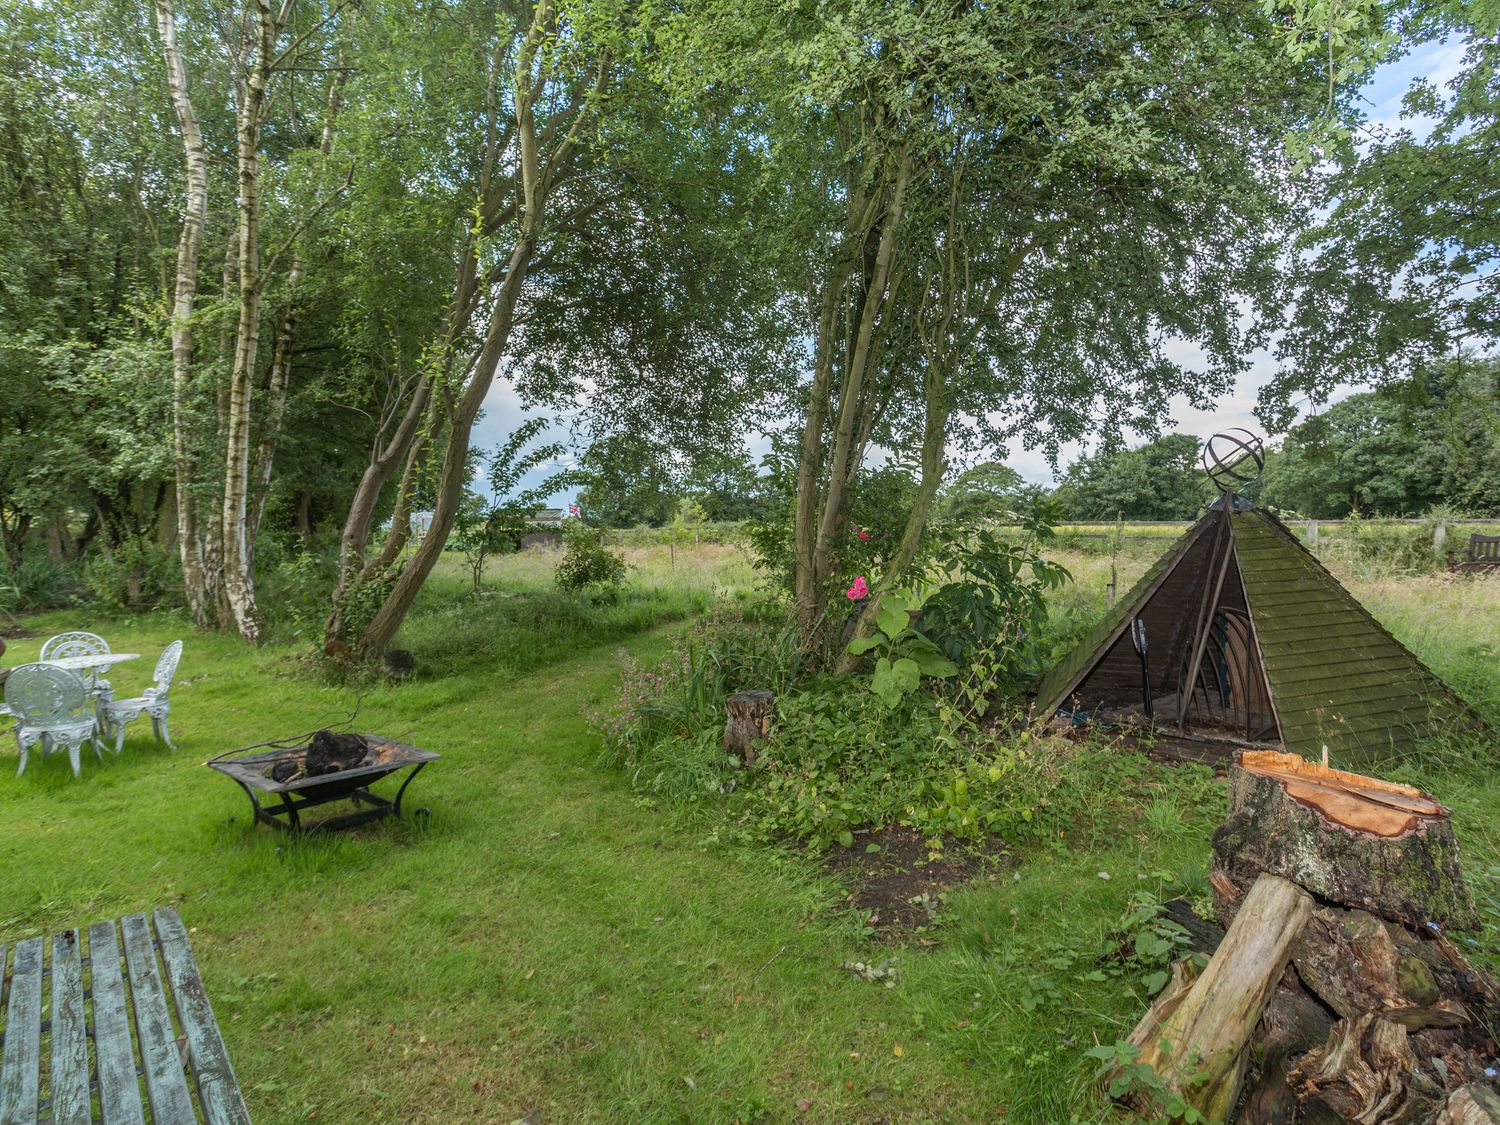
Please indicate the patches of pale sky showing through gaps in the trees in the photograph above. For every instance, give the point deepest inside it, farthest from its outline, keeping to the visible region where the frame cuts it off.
(1438, 62)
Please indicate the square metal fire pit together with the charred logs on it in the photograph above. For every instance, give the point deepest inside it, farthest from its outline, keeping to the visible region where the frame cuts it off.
(329, 767)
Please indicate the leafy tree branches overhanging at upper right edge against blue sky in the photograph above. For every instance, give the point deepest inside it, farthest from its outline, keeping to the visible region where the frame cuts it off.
(1406, 265)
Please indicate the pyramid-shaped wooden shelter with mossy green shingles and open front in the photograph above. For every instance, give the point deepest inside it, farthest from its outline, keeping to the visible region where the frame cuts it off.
(1249, 637)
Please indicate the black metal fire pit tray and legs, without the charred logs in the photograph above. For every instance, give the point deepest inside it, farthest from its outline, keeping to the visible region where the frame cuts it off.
(298, 794)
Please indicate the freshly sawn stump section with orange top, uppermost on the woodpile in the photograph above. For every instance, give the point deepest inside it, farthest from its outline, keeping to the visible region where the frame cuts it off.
(1349, 839)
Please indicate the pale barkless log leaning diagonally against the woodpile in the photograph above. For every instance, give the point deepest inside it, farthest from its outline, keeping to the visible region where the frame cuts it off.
(1199, 1042)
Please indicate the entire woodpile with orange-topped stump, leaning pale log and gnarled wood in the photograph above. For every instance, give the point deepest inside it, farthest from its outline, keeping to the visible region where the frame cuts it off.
(1336, 980)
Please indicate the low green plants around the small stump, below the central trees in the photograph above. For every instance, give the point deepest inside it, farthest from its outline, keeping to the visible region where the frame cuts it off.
(839, 758)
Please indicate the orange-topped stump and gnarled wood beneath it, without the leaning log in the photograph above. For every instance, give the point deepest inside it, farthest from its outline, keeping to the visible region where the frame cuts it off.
(1382, 860)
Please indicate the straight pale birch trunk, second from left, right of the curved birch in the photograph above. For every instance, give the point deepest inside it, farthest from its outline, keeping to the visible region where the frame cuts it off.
(239, 583)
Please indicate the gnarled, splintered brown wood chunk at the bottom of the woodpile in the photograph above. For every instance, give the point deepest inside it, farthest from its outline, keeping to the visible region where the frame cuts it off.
(1367, 1073)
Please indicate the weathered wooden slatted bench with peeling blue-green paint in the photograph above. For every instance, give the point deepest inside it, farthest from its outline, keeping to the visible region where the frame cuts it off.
(65, 1060)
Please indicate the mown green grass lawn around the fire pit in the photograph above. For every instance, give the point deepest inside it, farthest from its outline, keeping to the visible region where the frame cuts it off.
(554, 944)
